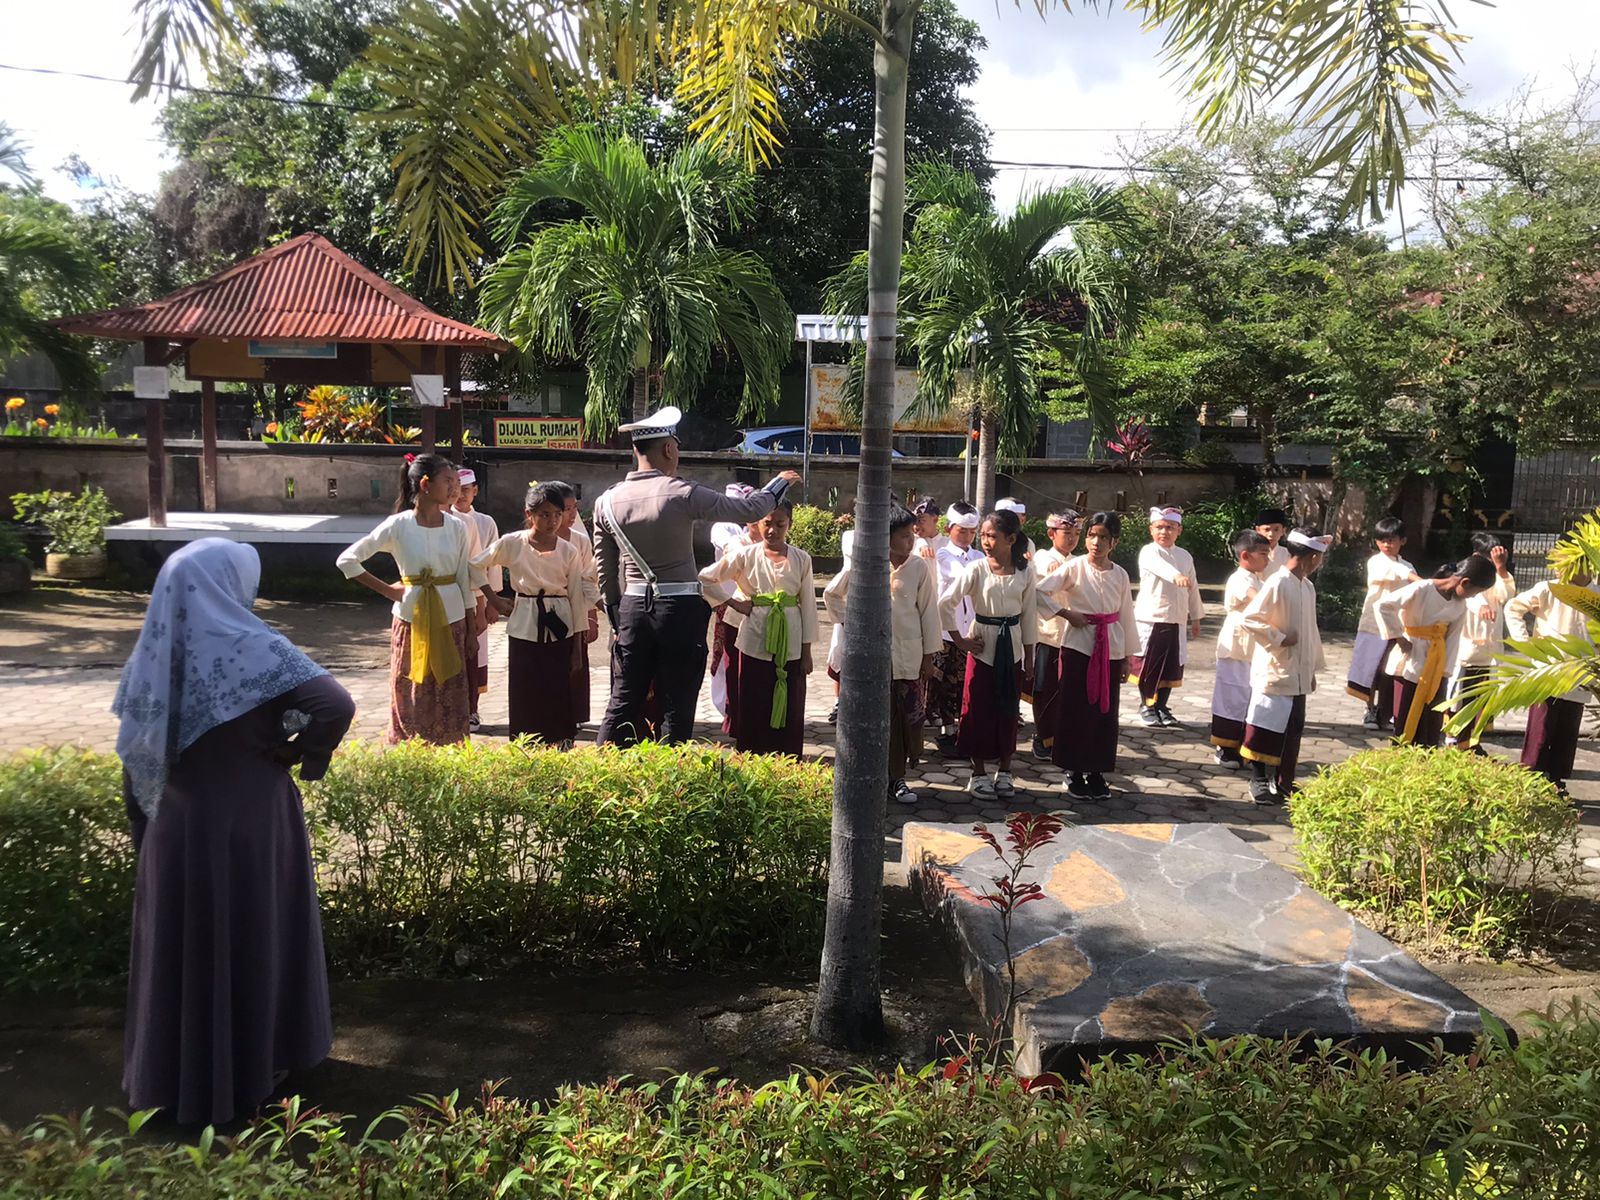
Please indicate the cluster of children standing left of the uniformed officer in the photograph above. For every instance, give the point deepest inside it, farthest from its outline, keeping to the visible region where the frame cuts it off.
(454, 569)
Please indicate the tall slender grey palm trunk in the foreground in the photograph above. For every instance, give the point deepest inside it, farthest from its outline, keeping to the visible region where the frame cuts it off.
(849, 1006)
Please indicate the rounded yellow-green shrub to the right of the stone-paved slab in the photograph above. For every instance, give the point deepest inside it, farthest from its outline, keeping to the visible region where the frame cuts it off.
(1444, 846)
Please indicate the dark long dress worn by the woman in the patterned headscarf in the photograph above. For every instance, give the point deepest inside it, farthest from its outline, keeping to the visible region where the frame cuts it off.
(228, 983)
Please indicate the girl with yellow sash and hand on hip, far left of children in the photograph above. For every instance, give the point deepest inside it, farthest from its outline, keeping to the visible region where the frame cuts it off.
(436, 617)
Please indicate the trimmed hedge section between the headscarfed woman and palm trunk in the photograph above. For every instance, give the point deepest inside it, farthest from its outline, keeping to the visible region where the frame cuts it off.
(444, 858)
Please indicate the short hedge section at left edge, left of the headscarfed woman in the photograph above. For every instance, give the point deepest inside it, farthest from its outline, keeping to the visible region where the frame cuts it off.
(66, 870)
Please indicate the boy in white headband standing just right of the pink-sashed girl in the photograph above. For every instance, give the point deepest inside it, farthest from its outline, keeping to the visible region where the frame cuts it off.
(1167, 614)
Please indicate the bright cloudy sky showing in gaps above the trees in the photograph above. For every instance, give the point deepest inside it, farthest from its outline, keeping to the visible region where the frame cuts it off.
(1068, 89)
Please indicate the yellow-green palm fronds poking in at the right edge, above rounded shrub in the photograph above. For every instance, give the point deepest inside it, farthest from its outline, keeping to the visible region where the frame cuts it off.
(1540, 670)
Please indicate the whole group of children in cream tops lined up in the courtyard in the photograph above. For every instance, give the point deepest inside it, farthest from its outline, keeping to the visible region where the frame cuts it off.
(980, 622)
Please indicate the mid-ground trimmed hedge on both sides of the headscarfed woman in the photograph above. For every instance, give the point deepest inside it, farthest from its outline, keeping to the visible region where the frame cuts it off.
(468, 858)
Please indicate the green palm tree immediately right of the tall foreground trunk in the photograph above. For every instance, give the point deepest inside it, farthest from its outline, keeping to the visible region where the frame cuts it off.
(996, 300)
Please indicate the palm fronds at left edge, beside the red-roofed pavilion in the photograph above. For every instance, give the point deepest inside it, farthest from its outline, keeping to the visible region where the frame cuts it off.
(42, 274)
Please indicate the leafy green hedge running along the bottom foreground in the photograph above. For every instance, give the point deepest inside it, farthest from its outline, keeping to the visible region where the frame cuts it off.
(1222, 1119)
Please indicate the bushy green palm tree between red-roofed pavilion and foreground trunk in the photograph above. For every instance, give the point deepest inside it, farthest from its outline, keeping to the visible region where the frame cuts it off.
(636, 284)
